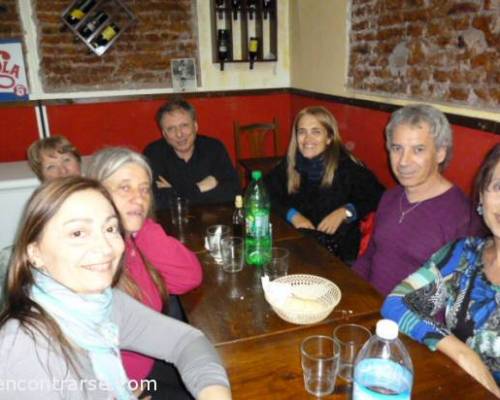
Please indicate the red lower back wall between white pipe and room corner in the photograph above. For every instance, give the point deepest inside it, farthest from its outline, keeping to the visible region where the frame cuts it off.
(132, 123)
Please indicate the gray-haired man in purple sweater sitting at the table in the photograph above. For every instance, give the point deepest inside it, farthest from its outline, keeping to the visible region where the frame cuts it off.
(425, 211)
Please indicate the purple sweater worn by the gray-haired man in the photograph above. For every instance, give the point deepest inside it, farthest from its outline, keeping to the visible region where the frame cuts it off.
(398, 249)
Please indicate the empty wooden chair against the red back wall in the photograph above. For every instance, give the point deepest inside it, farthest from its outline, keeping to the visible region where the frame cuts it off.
(251, 152)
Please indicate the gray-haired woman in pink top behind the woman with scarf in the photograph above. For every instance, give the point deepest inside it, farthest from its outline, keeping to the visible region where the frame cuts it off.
(155, 263)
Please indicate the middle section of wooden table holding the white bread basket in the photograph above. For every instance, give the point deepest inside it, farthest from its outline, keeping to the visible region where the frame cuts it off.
(232, 307)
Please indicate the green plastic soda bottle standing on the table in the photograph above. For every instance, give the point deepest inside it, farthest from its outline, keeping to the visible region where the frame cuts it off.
(258, 240)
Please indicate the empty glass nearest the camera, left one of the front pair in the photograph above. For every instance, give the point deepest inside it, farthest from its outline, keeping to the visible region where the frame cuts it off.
(320, 364)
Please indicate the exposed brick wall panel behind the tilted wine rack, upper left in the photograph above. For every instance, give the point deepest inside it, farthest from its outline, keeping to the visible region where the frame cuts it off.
(140, 57)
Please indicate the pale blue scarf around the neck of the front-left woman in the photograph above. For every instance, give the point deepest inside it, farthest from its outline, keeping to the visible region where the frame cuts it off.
(85, 320)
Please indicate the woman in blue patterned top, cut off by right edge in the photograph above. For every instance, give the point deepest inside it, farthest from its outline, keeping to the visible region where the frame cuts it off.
(463, 280)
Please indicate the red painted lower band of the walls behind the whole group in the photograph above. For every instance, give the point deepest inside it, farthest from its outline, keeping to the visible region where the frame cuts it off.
(132, 123)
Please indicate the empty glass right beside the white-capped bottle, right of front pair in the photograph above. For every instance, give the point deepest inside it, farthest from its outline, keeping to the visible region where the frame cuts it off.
(350, 338)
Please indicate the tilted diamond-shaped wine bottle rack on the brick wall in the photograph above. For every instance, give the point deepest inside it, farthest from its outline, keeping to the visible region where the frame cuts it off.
(100, 24)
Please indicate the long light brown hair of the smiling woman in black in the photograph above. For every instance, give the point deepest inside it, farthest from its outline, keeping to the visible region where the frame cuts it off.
(331, 154)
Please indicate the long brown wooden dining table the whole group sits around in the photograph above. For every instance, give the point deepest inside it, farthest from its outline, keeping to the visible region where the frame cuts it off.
(261, 351)
